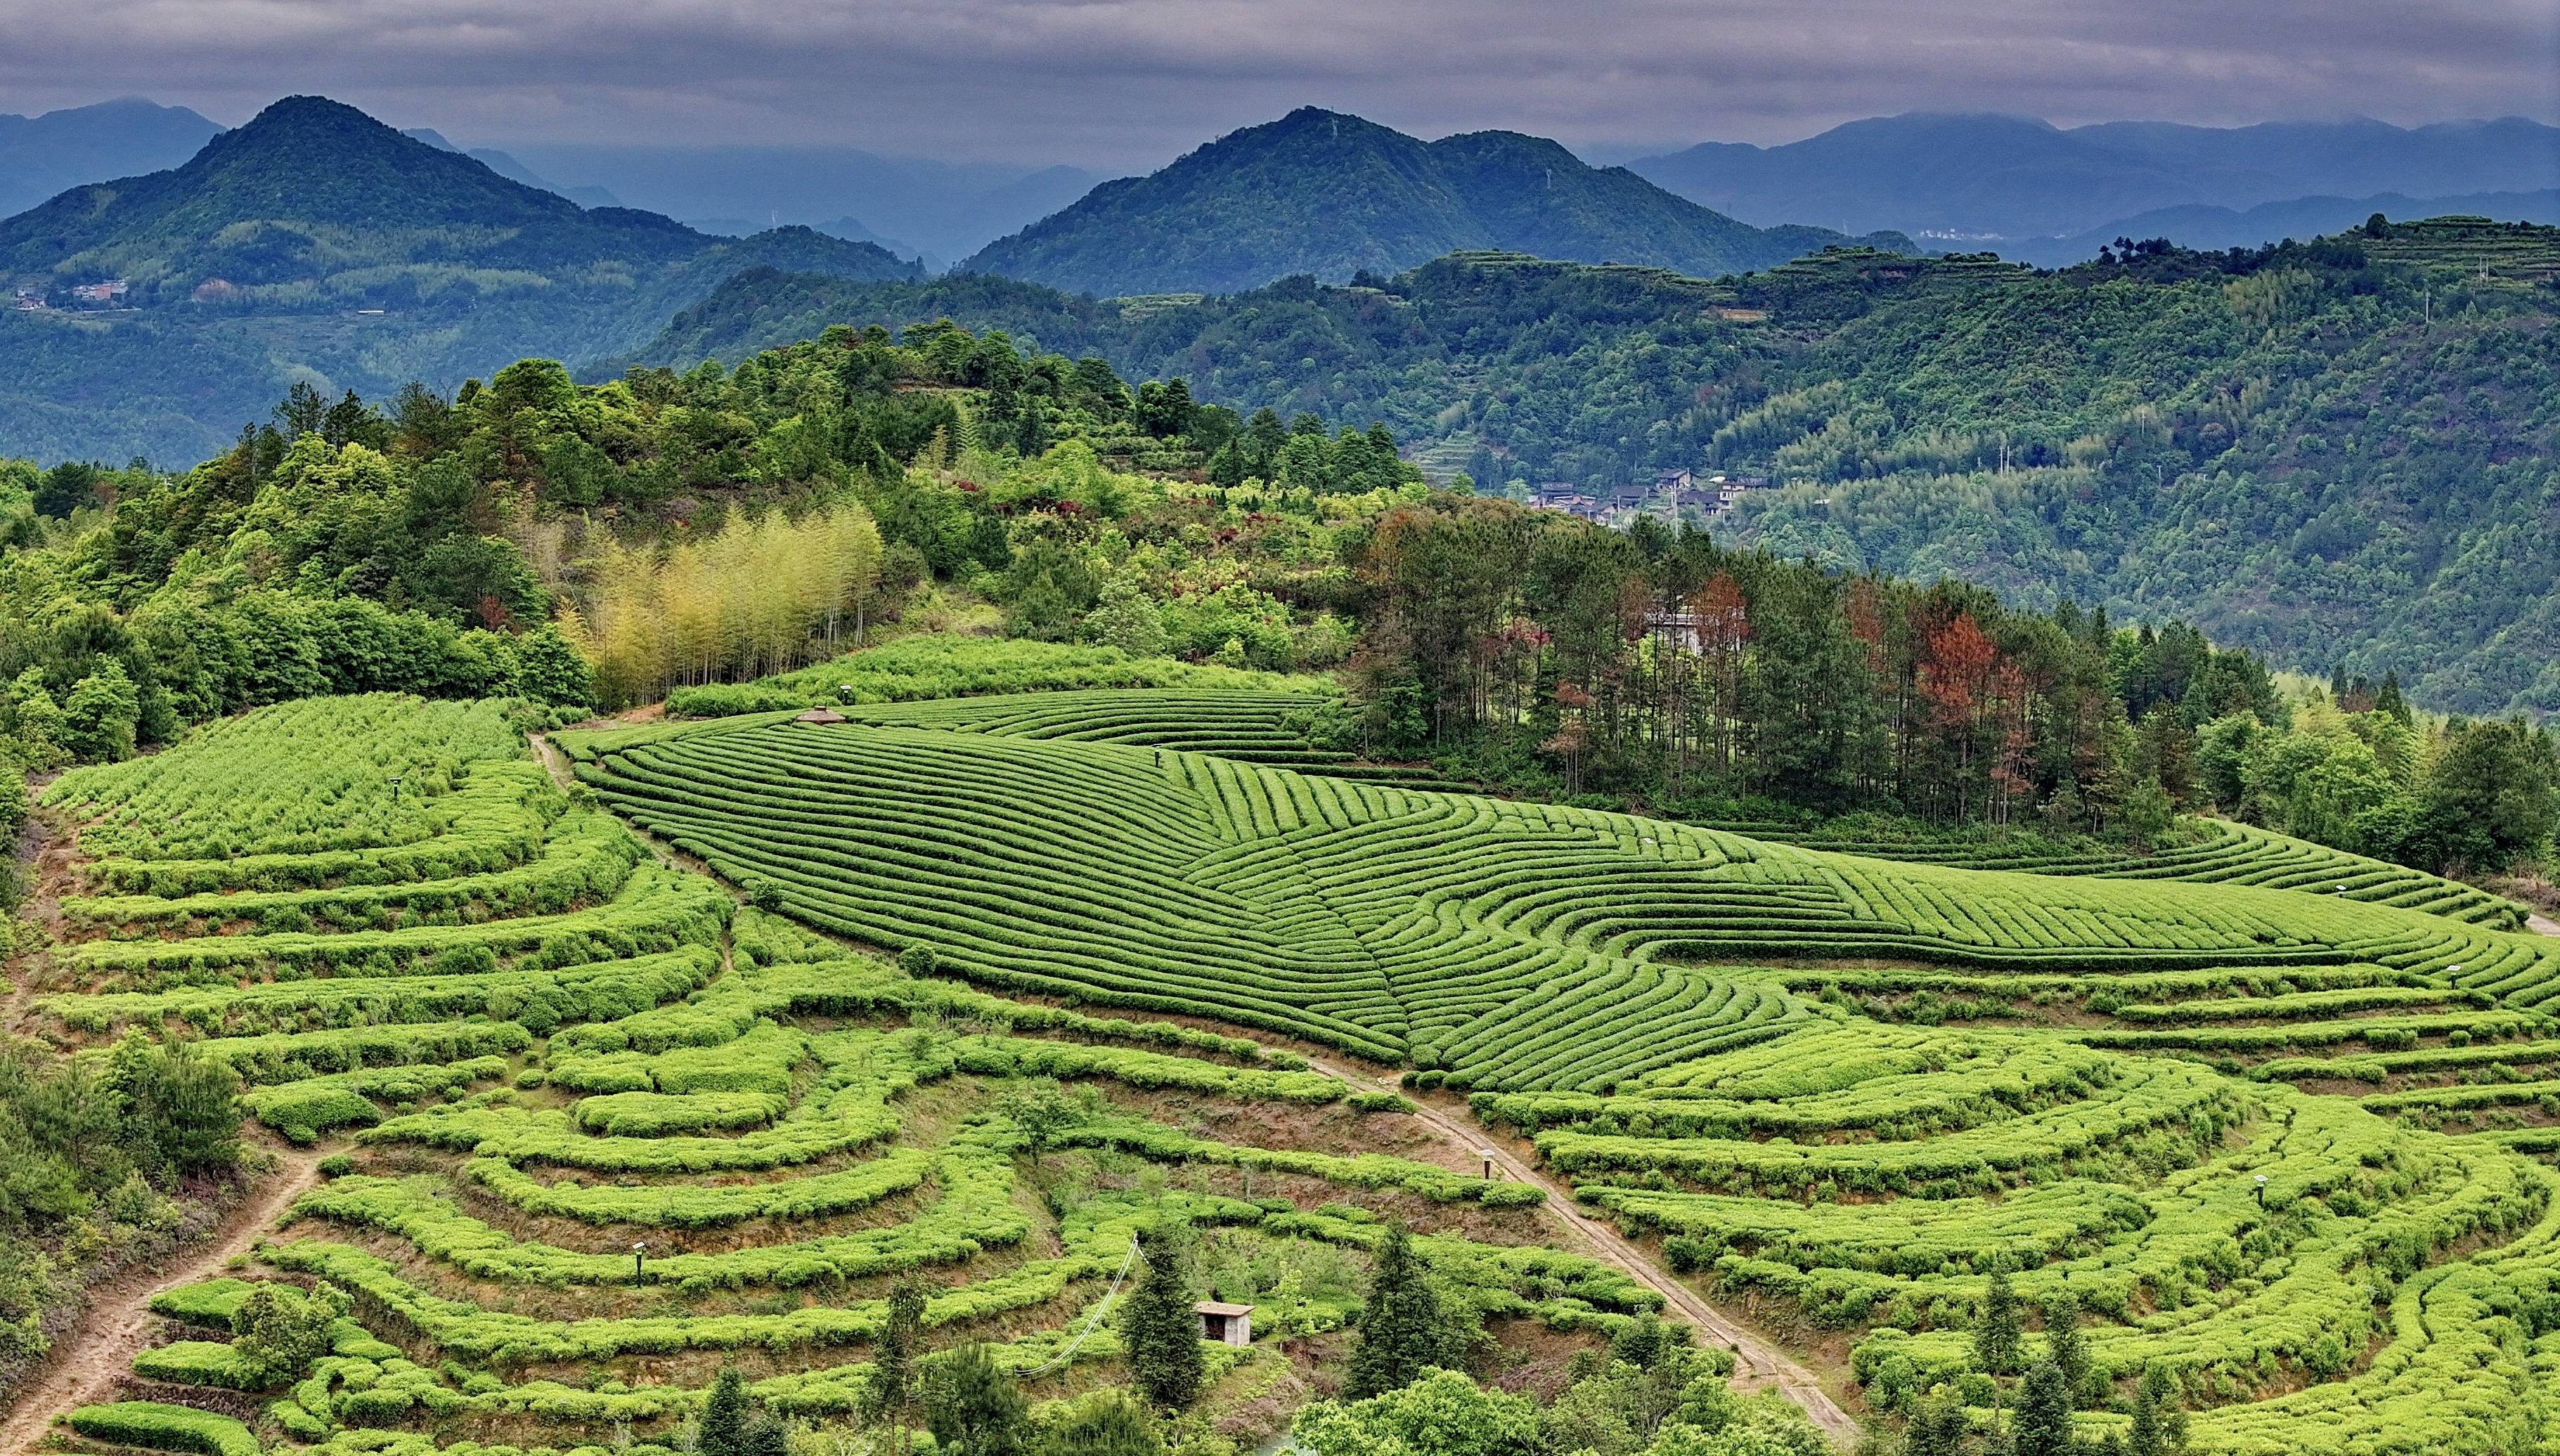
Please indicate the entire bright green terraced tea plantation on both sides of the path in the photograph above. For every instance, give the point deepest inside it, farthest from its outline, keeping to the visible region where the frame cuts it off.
(598, 1125)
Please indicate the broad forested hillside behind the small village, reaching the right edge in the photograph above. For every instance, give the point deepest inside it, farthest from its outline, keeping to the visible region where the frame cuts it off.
(2333, 452)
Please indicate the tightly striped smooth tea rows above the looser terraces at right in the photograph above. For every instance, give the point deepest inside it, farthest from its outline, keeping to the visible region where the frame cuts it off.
(1315, 920)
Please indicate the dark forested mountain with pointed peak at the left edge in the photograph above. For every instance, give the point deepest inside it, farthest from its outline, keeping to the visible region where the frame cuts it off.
(316, 242)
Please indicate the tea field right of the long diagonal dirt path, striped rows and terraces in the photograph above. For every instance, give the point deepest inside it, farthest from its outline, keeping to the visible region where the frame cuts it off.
(1829, 1086)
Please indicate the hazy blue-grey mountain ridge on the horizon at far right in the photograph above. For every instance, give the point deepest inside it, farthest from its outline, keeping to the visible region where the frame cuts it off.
(1993, 178)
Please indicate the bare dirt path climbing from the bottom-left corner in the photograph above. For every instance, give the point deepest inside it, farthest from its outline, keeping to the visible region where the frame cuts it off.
(91, 1357)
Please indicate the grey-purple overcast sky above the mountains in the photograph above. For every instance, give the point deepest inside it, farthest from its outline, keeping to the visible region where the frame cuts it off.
(1133, 83)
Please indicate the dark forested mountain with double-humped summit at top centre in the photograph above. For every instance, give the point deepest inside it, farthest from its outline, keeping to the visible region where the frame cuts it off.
(1335, 196)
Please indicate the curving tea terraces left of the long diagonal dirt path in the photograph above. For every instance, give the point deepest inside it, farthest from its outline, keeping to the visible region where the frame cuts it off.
(595, 1130)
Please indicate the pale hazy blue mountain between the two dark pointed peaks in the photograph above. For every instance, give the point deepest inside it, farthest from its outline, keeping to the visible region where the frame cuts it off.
(931, 206)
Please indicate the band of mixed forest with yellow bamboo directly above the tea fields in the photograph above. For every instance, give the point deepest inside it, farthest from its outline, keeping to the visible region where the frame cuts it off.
(600, 546)
